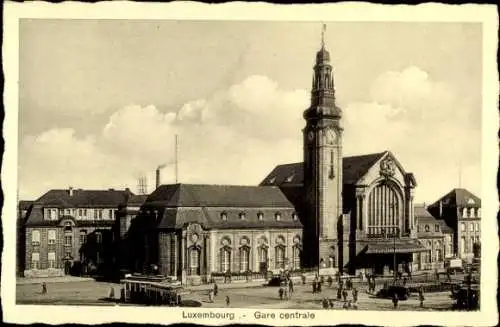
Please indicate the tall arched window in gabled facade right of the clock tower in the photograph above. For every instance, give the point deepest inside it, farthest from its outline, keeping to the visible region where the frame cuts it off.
(384, 210)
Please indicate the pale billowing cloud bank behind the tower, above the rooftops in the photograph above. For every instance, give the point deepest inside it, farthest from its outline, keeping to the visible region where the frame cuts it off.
(237, 135)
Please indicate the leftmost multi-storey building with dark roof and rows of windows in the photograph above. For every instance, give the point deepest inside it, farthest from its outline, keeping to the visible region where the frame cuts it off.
(69, 231)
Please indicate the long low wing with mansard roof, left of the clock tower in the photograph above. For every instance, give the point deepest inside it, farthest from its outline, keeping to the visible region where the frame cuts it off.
(194, 232)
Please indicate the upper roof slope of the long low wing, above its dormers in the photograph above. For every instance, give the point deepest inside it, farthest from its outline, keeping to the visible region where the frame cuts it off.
(202, 195)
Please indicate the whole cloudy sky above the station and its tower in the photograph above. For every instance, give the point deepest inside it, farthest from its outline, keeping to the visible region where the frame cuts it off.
(101, 101)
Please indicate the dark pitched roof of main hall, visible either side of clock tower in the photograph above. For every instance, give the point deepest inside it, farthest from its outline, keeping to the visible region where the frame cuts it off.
(354, 168)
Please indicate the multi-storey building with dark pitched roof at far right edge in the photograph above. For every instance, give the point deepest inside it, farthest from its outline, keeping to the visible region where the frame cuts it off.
(461, 211)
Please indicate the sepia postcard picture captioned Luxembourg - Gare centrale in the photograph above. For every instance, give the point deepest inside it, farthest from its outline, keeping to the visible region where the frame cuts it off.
(293, 165)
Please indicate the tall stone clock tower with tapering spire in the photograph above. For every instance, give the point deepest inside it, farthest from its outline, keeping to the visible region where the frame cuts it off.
(323, 166)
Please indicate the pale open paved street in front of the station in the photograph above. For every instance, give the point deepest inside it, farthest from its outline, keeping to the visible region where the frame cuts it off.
(253, 295)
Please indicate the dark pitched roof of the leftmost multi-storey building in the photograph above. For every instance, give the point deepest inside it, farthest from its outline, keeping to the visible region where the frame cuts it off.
(84, 198)
